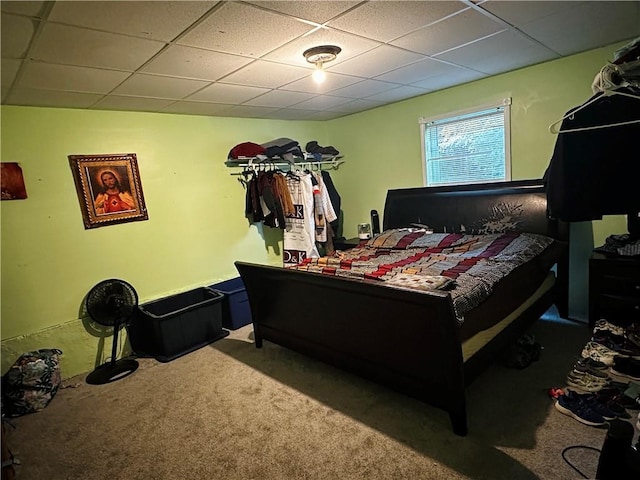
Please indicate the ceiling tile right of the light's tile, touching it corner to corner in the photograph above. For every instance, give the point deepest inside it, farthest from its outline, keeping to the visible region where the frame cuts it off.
(455, 31)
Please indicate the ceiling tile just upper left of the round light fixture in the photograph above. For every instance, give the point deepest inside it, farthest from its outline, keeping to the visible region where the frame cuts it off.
(242, 30)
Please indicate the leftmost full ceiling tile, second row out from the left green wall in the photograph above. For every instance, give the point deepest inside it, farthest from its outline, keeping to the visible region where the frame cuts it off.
(65, 77)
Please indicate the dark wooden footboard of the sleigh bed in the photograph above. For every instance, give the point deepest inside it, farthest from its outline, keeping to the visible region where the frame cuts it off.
(403, 339)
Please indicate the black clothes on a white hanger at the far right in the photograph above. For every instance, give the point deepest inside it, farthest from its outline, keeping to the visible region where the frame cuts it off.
(596, 171)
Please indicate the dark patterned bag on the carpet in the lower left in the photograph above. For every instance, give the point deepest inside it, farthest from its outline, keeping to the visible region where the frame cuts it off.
(31, 382)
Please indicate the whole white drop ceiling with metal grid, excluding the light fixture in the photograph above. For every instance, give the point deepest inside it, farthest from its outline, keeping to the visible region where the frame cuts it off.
(244, 58)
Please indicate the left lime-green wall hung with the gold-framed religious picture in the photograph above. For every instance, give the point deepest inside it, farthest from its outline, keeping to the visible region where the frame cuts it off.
(196, 226)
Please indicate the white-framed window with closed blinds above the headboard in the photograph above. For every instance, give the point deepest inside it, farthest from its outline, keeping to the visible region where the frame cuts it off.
(467, 147)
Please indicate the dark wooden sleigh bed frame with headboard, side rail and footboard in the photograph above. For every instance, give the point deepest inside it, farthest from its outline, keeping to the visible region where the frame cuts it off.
(404, 339)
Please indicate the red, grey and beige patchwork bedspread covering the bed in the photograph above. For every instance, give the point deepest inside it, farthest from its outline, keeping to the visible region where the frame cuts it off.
(466, 266)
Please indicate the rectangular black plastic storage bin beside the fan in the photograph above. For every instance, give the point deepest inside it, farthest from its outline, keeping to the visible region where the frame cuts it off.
(174, 326)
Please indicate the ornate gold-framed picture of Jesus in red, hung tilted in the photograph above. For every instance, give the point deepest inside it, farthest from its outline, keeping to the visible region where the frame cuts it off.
(109, 189)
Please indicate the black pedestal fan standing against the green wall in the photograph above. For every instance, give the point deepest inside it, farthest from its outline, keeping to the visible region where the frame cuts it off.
(111, 303)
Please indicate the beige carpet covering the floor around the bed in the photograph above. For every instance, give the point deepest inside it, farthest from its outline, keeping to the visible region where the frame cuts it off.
(231, 411)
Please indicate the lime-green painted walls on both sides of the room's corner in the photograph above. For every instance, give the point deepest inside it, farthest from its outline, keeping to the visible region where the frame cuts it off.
(196, 227)
